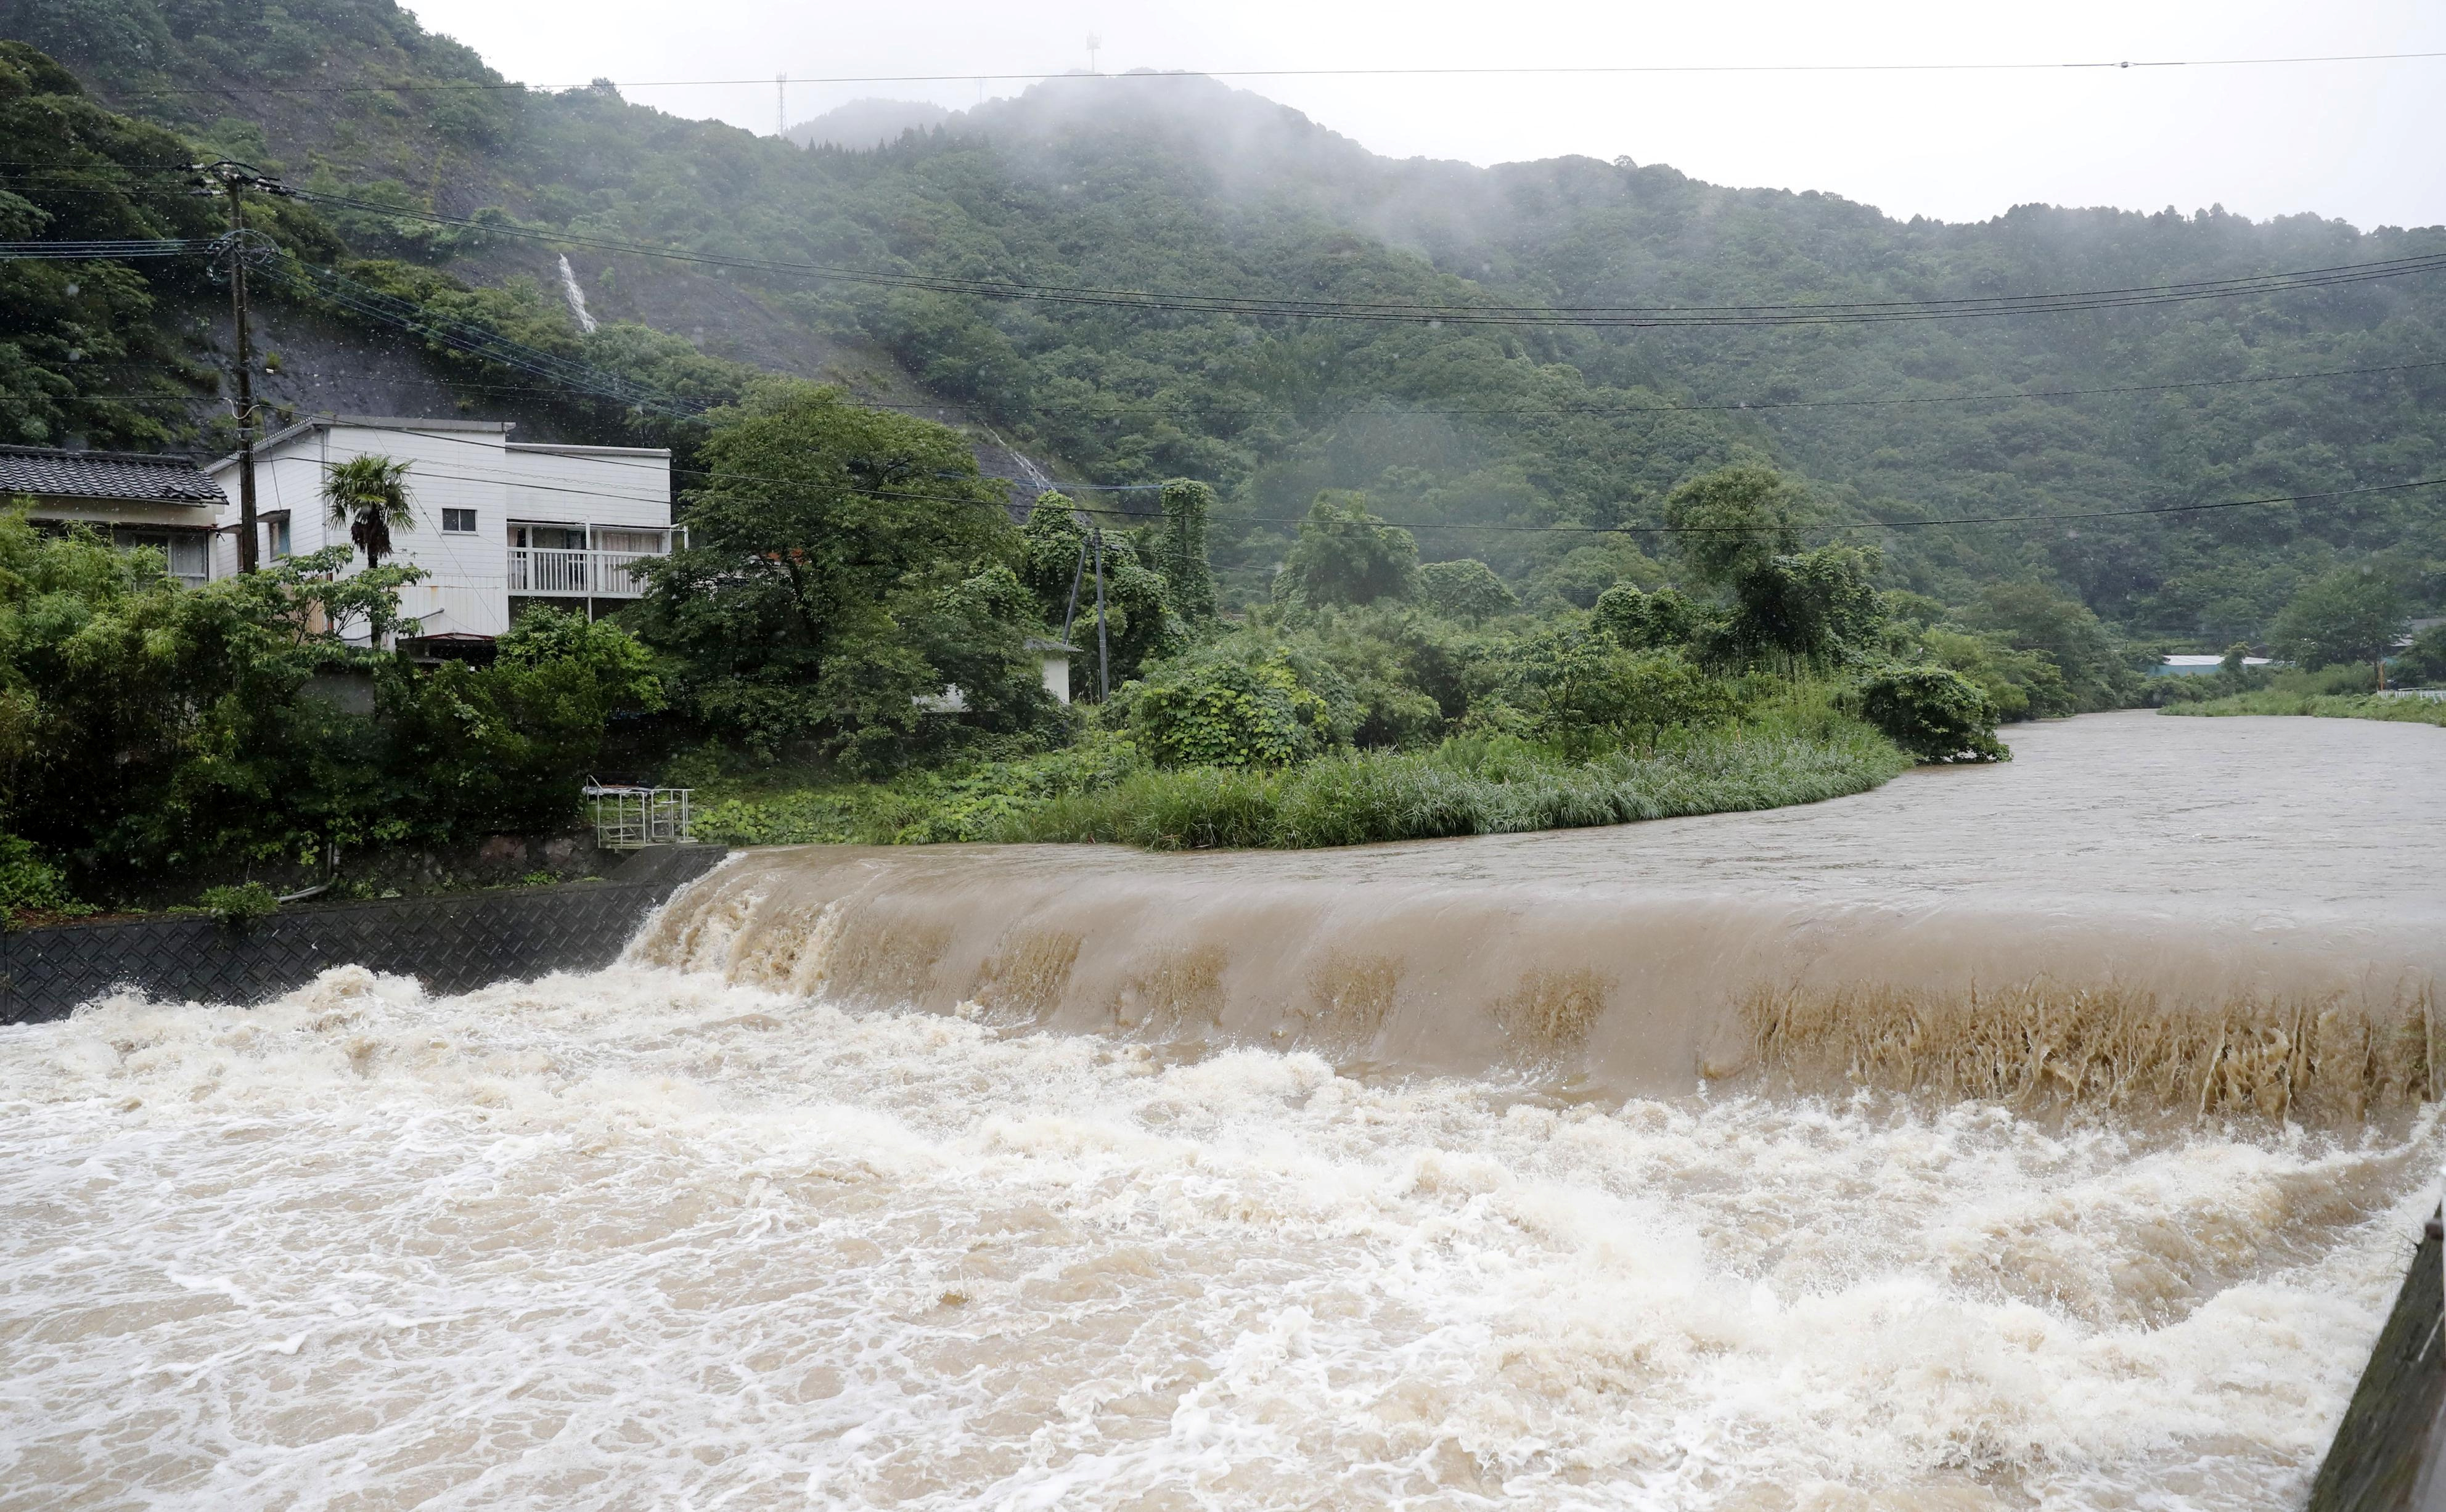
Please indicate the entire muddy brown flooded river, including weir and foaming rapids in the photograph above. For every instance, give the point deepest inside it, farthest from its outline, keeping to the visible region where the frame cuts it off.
(2029, 1136)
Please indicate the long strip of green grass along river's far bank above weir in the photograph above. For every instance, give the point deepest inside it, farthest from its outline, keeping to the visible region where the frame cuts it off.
(1107, 791)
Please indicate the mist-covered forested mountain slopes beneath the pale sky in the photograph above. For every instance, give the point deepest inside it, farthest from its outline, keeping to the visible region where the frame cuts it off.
(1464, 432)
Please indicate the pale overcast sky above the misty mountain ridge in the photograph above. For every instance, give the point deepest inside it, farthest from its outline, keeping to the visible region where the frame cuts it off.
(2362, 141)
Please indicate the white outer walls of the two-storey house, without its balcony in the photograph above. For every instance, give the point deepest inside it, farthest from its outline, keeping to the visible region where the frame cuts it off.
(456, 466)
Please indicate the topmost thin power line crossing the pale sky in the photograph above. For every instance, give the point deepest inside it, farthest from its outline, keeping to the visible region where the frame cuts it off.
(1378, 72)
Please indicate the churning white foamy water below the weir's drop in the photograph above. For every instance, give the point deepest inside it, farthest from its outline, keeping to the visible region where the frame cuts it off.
(649, 1239)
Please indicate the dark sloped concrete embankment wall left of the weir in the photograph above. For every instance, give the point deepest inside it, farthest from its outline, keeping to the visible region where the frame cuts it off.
(451, 943)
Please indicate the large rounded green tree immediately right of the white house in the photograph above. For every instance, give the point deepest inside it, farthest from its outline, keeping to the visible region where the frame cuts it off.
(816, 598)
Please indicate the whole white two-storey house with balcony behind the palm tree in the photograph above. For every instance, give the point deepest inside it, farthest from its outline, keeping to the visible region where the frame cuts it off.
(500, 522)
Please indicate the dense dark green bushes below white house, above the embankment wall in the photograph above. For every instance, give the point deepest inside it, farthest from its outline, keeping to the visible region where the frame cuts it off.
(148, 725)
